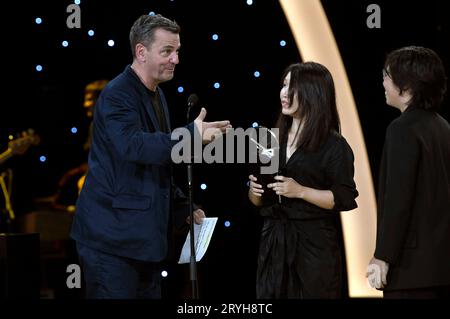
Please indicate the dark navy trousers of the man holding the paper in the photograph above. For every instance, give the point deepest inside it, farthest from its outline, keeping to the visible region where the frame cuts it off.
(114, 277)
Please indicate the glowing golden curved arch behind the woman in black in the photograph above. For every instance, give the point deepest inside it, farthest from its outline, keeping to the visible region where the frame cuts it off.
(315, 41)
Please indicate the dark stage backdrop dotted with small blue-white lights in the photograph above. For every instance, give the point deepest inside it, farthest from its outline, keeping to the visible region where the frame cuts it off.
(249, 38)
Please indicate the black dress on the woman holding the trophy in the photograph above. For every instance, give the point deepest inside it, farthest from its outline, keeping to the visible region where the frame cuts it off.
(300, 252)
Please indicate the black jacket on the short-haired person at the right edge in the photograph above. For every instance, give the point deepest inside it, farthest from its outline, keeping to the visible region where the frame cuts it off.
(413, 233)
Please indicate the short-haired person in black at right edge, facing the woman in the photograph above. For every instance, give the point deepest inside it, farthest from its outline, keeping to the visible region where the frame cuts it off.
(412, 255)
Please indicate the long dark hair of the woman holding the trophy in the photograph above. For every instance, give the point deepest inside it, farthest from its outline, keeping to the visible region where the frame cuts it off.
(313, 86)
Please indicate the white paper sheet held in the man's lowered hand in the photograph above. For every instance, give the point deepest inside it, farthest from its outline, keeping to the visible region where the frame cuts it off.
(202, 237)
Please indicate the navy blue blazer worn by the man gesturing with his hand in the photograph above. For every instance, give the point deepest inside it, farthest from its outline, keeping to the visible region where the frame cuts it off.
(124, 206)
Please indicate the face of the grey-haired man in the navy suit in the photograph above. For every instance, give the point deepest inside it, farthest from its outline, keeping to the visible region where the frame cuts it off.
(162, 56)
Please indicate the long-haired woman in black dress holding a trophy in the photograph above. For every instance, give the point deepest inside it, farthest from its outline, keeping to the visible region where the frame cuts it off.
(301, 253)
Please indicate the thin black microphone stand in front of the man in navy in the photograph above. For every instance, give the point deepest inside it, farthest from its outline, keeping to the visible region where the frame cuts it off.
(193, 261)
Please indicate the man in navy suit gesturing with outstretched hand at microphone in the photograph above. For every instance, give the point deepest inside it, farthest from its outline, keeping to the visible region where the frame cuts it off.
(123, 211)
